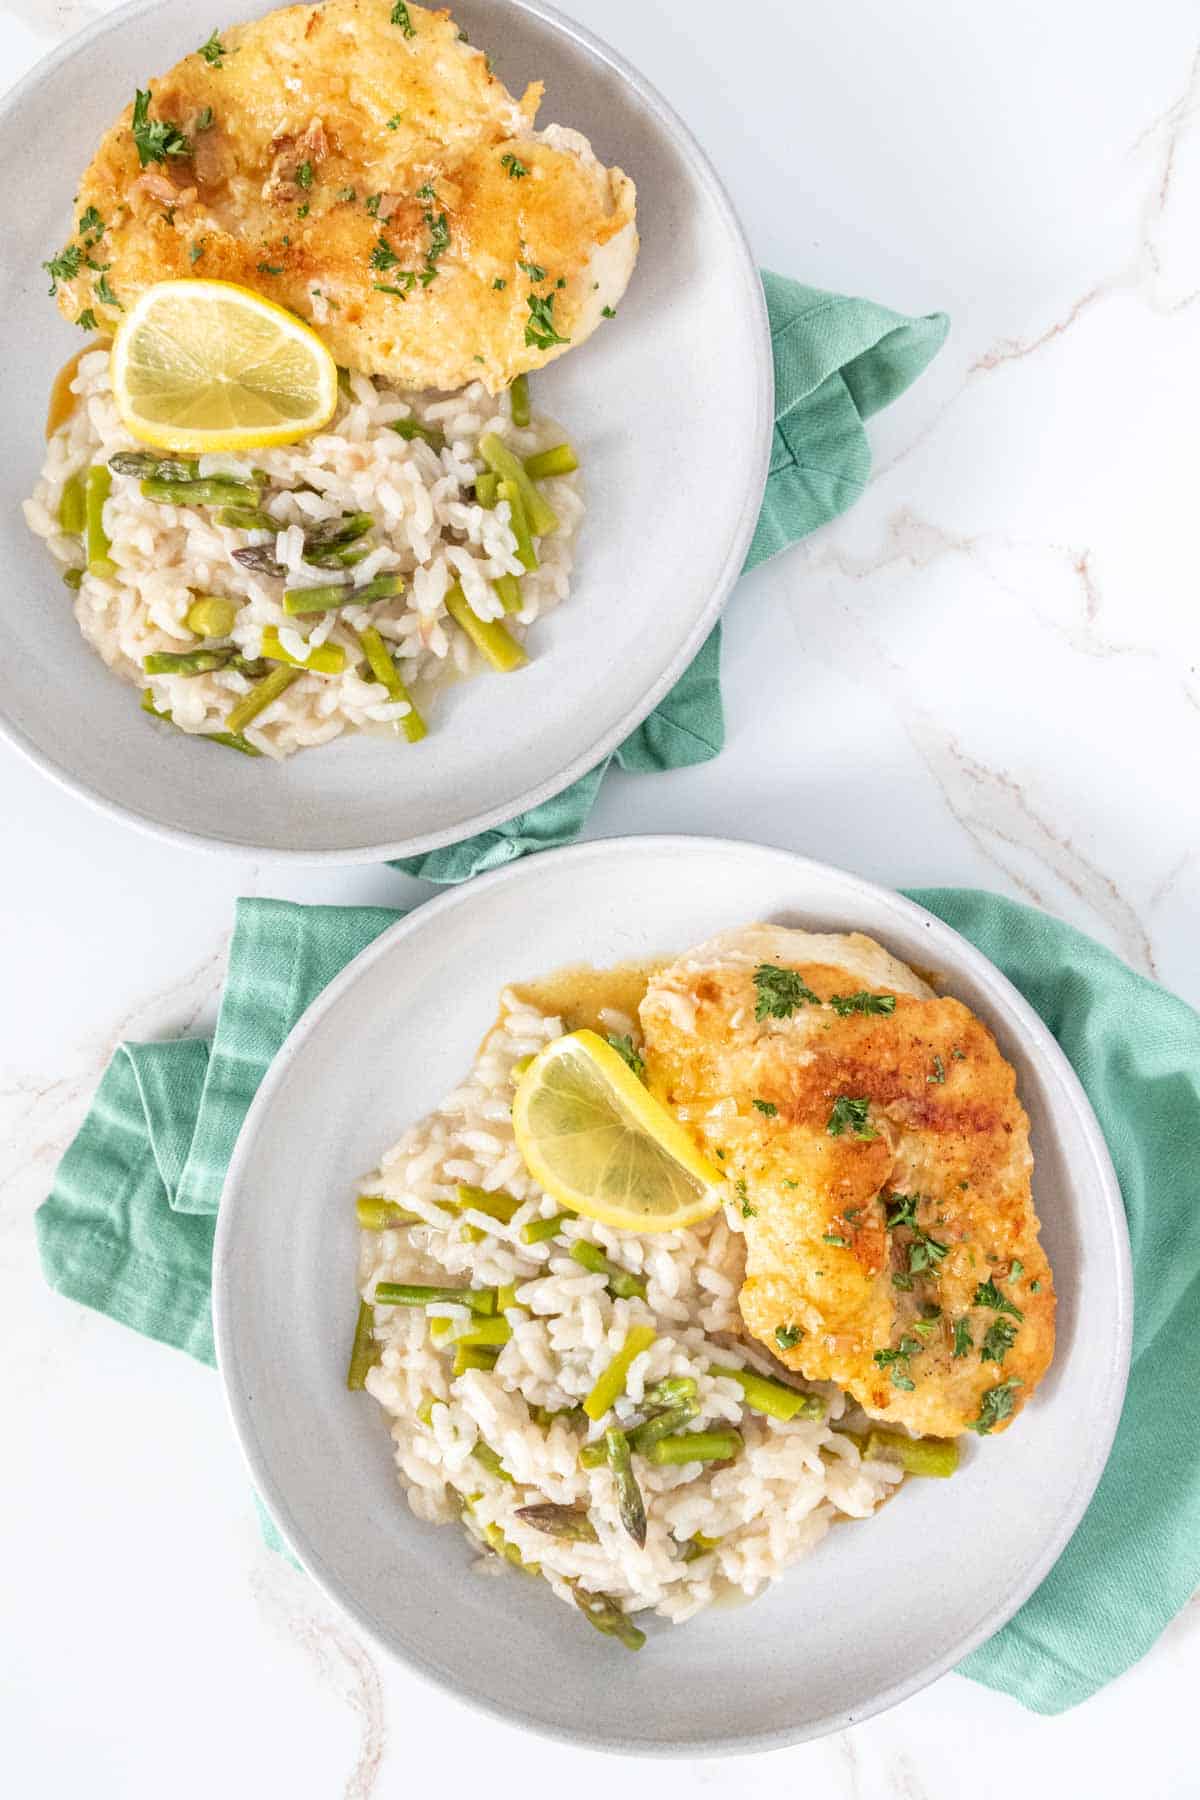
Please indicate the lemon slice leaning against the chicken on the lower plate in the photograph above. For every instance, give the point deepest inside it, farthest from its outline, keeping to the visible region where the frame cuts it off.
(602, 1146)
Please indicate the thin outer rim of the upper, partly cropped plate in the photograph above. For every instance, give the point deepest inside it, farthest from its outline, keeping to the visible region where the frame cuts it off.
(710, 615)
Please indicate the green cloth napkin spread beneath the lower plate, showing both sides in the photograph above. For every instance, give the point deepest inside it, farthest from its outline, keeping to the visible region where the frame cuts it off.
(129, 1230)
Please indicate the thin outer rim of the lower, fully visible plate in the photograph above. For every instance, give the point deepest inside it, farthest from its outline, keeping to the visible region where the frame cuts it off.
(1116, 1241)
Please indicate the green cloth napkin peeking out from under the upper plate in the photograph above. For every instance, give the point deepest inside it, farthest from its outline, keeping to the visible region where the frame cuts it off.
(837, 361)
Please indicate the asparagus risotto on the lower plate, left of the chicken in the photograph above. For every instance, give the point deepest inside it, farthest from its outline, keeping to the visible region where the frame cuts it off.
(499, 1405)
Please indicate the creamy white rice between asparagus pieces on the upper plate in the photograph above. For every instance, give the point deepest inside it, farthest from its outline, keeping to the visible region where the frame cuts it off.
(429, 530)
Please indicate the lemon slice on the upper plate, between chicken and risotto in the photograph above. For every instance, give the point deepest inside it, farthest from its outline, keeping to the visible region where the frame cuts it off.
(211, 366)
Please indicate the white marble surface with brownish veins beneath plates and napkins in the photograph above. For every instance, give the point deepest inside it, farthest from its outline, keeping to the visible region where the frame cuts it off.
(987, 676)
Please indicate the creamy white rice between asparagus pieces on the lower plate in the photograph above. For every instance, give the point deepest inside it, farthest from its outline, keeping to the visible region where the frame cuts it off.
(766, 1509)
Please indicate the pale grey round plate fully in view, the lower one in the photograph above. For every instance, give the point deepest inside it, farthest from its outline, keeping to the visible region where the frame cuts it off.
(881, 1608)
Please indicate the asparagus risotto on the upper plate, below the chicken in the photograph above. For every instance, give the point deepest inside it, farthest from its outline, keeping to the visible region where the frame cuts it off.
(352, 573)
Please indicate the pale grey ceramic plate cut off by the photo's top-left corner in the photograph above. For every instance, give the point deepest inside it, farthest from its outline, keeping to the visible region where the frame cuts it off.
(670, 408)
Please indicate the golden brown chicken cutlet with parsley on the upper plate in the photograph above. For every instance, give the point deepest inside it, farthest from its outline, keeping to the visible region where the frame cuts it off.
(361, 165)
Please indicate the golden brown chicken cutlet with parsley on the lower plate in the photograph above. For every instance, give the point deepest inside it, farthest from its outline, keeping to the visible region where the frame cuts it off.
(881, 1158)
